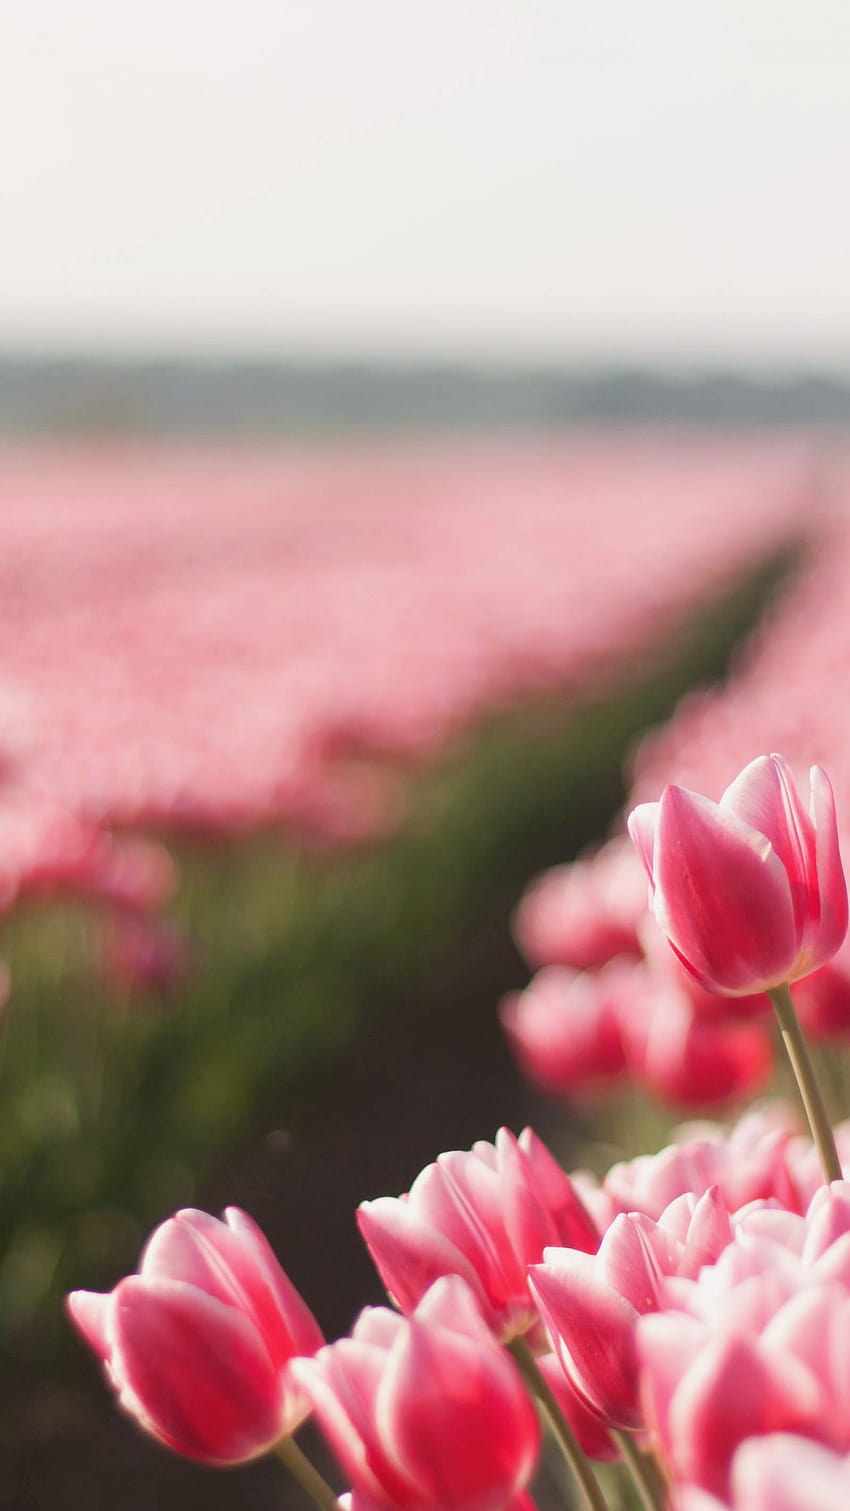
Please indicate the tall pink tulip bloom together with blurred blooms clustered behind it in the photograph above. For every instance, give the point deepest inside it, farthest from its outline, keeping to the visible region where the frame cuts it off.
(677, 997)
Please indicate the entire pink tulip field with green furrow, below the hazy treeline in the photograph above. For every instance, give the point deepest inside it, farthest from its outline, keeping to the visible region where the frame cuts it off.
(292, 740)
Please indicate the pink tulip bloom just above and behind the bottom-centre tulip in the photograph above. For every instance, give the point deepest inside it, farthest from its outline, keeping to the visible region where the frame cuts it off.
(485, 1216)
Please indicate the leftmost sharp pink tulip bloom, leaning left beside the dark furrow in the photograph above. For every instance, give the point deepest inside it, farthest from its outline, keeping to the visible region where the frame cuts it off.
(199, 1343)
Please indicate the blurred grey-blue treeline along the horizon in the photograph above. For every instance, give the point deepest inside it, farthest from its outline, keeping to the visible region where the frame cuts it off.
(69, 394)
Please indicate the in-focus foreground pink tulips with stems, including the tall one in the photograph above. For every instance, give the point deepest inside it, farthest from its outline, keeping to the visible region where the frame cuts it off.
(688, 1317)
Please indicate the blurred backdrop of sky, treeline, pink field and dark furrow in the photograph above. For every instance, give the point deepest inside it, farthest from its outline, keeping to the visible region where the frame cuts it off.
(402, 409)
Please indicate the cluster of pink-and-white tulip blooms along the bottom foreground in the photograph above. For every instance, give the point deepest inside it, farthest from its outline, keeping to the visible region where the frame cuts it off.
(698, 1302)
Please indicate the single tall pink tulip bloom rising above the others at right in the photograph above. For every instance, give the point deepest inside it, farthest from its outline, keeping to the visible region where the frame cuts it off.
(750, 892)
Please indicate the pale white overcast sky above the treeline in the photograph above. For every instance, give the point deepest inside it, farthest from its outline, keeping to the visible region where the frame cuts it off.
(609, 179)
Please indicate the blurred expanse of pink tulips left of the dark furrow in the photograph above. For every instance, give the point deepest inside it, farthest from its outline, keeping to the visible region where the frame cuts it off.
(226, 643)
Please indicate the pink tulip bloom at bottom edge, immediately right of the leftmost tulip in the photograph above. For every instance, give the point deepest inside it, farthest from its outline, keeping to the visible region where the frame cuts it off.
(425, 1411)
